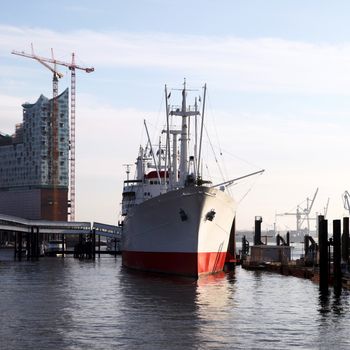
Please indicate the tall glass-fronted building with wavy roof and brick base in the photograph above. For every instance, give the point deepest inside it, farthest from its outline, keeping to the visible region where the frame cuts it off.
(34, 162)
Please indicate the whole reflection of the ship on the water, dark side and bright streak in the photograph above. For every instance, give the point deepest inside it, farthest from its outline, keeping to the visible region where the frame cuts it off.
(175, 312)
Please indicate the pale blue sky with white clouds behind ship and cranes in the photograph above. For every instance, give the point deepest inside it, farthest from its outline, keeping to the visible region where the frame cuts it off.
(278, 77)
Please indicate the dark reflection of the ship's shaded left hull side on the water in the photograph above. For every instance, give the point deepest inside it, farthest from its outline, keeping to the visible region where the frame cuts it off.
(162, 310)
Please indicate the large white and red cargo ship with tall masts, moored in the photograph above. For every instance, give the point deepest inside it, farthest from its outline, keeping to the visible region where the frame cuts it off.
(175, 222)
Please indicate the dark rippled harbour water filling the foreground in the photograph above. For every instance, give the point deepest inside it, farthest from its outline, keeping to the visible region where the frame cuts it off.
(65, 303)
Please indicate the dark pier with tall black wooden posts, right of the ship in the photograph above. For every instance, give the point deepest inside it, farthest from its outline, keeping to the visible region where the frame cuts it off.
(325, 262)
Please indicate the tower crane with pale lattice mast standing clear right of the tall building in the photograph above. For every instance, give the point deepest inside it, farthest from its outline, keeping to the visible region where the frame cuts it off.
(72, 66)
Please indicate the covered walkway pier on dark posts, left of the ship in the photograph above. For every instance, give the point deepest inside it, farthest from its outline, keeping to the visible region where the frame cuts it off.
(30, 236)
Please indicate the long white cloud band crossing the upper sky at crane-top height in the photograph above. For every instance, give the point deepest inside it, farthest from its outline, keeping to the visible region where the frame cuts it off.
(262, 64)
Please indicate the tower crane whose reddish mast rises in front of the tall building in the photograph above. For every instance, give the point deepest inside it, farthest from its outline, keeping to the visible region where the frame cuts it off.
(53, 134)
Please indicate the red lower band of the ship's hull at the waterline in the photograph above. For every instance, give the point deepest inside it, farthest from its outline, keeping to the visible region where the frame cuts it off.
(186, 264)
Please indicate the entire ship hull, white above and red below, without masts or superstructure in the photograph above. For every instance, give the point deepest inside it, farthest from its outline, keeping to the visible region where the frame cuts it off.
(185, 231)
